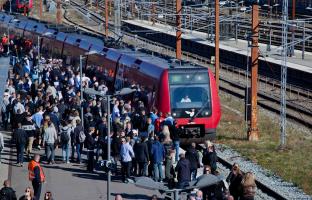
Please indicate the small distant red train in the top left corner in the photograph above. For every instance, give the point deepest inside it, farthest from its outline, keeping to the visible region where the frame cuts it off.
(18, 6)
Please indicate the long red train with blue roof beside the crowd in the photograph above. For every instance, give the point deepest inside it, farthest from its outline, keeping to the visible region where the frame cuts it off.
(187, 91)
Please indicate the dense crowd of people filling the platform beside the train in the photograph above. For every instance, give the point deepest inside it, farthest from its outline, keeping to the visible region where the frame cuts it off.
(42, 105)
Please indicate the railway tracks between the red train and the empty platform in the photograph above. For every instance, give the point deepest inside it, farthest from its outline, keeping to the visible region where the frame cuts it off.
(233, 80)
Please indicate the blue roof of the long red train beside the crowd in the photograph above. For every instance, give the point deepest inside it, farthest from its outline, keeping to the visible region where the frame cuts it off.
(143, 61)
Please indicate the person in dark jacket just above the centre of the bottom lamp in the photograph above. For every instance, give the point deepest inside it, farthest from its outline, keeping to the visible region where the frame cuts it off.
(184, 172)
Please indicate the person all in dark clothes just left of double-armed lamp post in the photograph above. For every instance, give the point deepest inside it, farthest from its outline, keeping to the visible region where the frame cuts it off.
(90, 145)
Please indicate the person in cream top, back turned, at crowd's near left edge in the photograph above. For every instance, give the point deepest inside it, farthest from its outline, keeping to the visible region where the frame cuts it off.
(49, 138)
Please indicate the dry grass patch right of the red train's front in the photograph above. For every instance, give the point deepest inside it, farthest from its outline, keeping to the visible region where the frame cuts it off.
(294, 164)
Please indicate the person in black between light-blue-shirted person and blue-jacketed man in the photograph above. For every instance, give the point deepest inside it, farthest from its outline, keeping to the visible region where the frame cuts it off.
(141, 156)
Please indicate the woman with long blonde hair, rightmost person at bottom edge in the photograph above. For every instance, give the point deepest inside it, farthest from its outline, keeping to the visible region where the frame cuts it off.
(248, 186)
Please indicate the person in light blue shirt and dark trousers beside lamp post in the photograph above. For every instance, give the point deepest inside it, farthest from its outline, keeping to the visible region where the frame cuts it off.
(126, 154)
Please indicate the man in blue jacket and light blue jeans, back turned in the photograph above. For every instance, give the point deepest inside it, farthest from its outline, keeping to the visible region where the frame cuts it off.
(158, 155)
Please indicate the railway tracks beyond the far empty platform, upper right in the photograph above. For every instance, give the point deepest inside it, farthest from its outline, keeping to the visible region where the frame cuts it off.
(203, 17)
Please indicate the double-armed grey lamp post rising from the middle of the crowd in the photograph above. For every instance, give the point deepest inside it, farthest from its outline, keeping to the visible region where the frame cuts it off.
(122, 92)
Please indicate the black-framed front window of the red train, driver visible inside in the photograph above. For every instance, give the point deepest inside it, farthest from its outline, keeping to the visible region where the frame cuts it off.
(190, 94)
